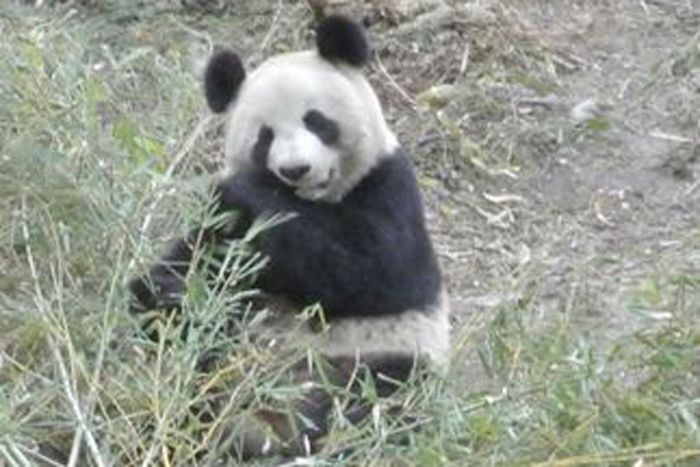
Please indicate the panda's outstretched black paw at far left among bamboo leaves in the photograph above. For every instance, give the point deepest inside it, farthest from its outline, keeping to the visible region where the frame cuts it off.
(157, 290)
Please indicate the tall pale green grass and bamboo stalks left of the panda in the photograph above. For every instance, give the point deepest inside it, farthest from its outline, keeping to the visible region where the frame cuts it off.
(95, 113)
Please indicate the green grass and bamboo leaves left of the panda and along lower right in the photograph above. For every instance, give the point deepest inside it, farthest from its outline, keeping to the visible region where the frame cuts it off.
(101, 129)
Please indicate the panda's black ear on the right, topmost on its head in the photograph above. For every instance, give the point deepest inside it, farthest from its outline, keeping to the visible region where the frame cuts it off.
(338, 38)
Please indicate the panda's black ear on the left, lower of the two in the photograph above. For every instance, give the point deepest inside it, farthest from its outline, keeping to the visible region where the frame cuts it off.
(222, 79)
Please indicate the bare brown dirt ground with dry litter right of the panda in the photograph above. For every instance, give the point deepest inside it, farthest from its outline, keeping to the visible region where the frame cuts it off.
(561, 159)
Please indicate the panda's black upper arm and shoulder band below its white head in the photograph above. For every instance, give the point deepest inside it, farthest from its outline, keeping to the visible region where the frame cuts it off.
(368, 255)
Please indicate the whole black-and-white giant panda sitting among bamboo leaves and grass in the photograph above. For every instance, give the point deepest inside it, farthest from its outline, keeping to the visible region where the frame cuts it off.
(305, 134)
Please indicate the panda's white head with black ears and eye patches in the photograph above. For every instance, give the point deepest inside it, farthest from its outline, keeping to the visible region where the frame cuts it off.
(311, 118)
